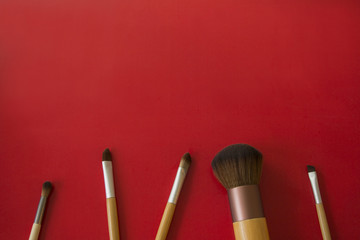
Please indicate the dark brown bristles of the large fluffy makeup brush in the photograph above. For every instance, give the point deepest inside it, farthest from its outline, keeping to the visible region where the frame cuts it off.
(237, 165)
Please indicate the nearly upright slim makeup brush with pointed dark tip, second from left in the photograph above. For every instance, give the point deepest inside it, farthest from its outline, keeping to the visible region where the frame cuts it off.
(110, 196)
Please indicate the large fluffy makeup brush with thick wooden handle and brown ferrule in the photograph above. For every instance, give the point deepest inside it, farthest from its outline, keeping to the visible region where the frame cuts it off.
(238, 168)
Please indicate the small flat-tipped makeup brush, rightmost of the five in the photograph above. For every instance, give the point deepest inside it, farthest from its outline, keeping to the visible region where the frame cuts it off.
(319, 205)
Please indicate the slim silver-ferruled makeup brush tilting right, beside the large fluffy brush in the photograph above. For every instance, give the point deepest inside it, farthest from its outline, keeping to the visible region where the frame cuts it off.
(174, 195)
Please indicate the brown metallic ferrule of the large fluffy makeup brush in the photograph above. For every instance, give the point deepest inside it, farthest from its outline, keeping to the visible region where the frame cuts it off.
(245, 202)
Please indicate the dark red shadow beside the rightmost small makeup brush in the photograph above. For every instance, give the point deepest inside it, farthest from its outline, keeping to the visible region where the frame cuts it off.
(327, 207)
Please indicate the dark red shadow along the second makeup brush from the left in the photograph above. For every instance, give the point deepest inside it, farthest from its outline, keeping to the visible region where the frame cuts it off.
(119, 192)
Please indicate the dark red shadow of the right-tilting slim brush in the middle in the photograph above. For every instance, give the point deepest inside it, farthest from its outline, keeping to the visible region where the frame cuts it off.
(177, 224)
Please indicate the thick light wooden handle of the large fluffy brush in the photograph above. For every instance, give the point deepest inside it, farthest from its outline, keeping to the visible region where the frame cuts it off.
(251, 229)
